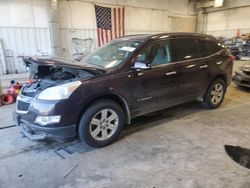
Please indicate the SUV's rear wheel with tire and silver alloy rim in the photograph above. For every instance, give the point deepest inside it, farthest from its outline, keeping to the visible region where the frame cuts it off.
(215, 94)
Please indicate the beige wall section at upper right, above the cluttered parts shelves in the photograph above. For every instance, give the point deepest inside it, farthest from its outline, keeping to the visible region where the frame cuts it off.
(226, 20)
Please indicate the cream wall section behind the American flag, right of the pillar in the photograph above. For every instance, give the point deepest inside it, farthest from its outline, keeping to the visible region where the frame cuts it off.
(141, 17)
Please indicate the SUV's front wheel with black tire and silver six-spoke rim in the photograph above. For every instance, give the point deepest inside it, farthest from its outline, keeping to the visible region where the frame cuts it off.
(101, 124)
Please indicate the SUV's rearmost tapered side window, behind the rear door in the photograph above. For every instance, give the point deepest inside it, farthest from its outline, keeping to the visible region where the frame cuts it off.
(209, 47)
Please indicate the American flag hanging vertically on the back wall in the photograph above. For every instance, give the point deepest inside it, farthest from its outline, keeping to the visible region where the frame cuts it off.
(110, 23)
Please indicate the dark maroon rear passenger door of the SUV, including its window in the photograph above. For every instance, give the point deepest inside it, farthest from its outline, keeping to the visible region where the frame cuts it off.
(194, 74)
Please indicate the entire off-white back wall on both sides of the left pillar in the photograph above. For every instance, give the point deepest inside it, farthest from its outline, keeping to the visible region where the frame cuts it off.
(25, 29)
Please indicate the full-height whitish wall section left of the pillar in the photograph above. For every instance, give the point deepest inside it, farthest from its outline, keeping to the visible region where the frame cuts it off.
(24, 30)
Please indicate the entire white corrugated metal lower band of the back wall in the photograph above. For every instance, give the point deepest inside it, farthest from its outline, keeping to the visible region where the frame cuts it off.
(27, 41)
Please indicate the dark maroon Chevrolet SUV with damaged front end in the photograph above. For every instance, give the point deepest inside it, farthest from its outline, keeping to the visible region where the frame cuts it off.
(129, 77)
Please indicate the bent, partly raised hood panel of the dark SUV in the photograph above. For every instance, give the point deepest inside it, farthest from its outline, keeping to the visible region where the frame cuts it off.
(60, 62)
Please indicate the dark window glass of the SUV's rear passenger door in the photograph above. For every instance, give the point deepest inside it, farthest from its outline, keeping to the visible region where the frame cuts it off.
(184, 49)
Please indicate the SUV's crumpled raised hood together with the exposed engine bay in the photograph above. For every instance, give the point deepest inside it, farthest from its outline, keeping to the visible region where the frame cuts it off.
(49, 72)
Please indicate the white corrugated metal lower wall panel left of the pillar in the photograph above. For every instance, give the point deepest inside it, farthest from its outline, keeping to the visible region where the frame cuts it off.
(18, 41)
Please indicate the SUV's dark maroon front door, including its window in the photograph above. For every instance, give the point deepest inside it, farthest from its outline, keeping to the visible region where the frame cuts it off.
(154, 88)
